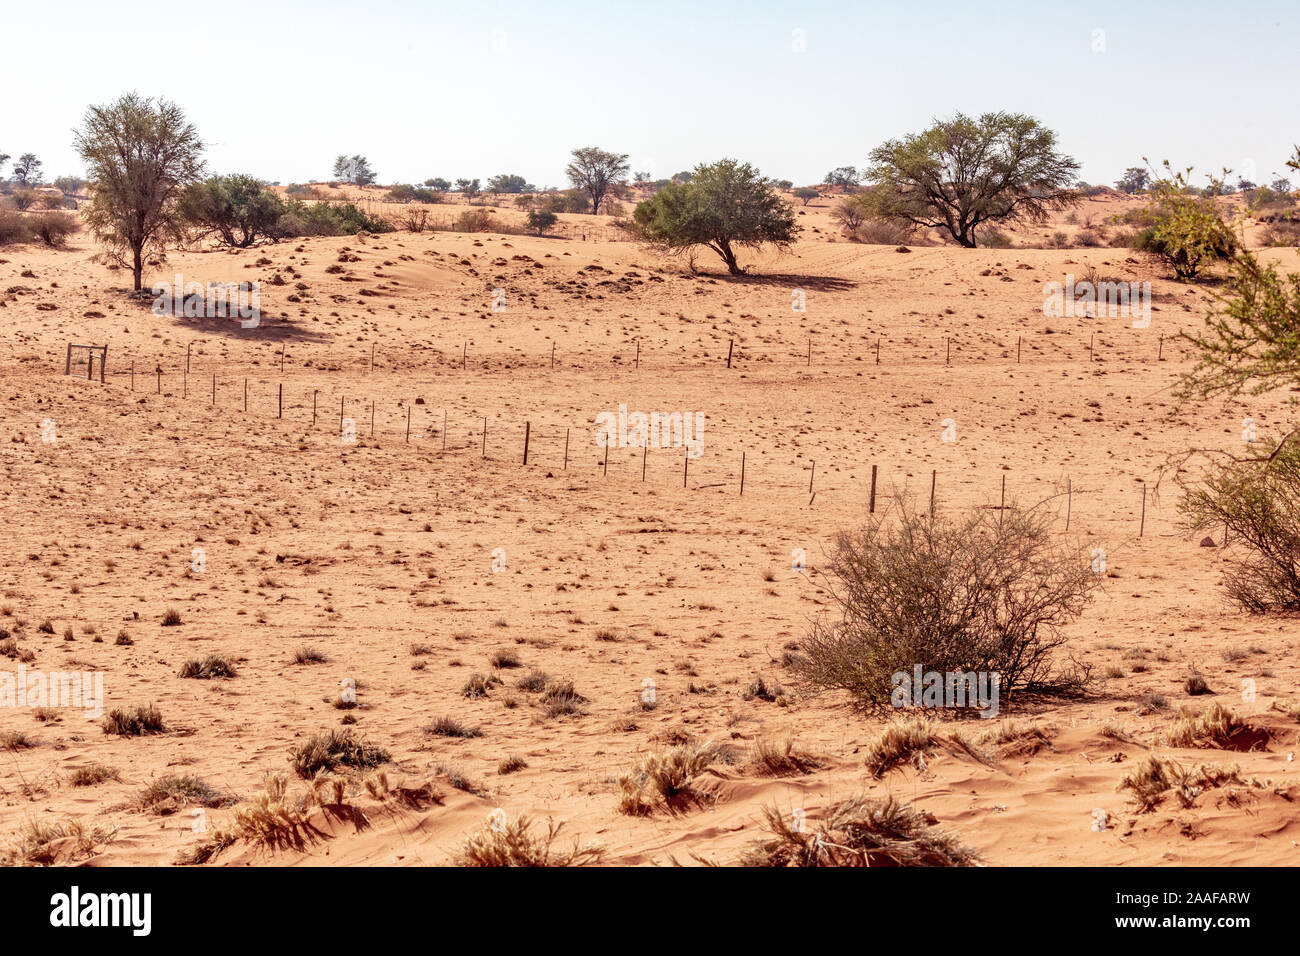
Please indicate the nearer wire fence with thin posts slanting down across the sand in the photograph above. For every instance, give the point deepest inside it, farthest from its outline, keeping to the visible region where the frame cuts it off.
(562, 448)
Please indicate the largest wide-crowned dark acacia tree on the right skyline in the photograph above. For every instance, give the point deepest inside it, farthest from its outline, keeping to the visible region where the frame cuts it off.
(961, 174)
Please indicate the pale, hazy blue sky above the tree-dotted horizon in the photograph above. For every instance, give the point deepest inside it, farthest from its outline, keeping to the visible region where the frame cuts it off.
(475, 89)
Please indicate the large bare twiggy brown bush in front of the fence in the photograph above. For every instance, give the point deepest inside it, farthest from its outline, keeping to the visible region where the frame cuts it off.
(989, 592)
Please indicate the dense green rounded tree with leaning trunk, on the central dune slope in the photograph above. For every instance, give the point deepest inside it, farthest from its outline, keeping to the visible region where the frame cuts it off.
(725, 206)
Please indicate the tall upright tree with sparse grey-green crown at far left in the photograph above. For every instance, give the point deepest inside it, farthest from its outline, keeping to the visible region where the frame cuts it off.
(140, 157)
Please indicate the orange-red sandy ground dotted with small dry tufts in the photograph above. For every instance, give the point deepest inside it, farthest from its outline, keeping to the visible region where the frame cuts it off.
(450, 542)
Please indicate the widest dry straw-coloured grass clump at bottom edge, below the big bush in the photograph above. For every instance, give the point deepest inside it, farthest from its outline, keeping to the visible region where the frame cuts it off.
(860, 833)
